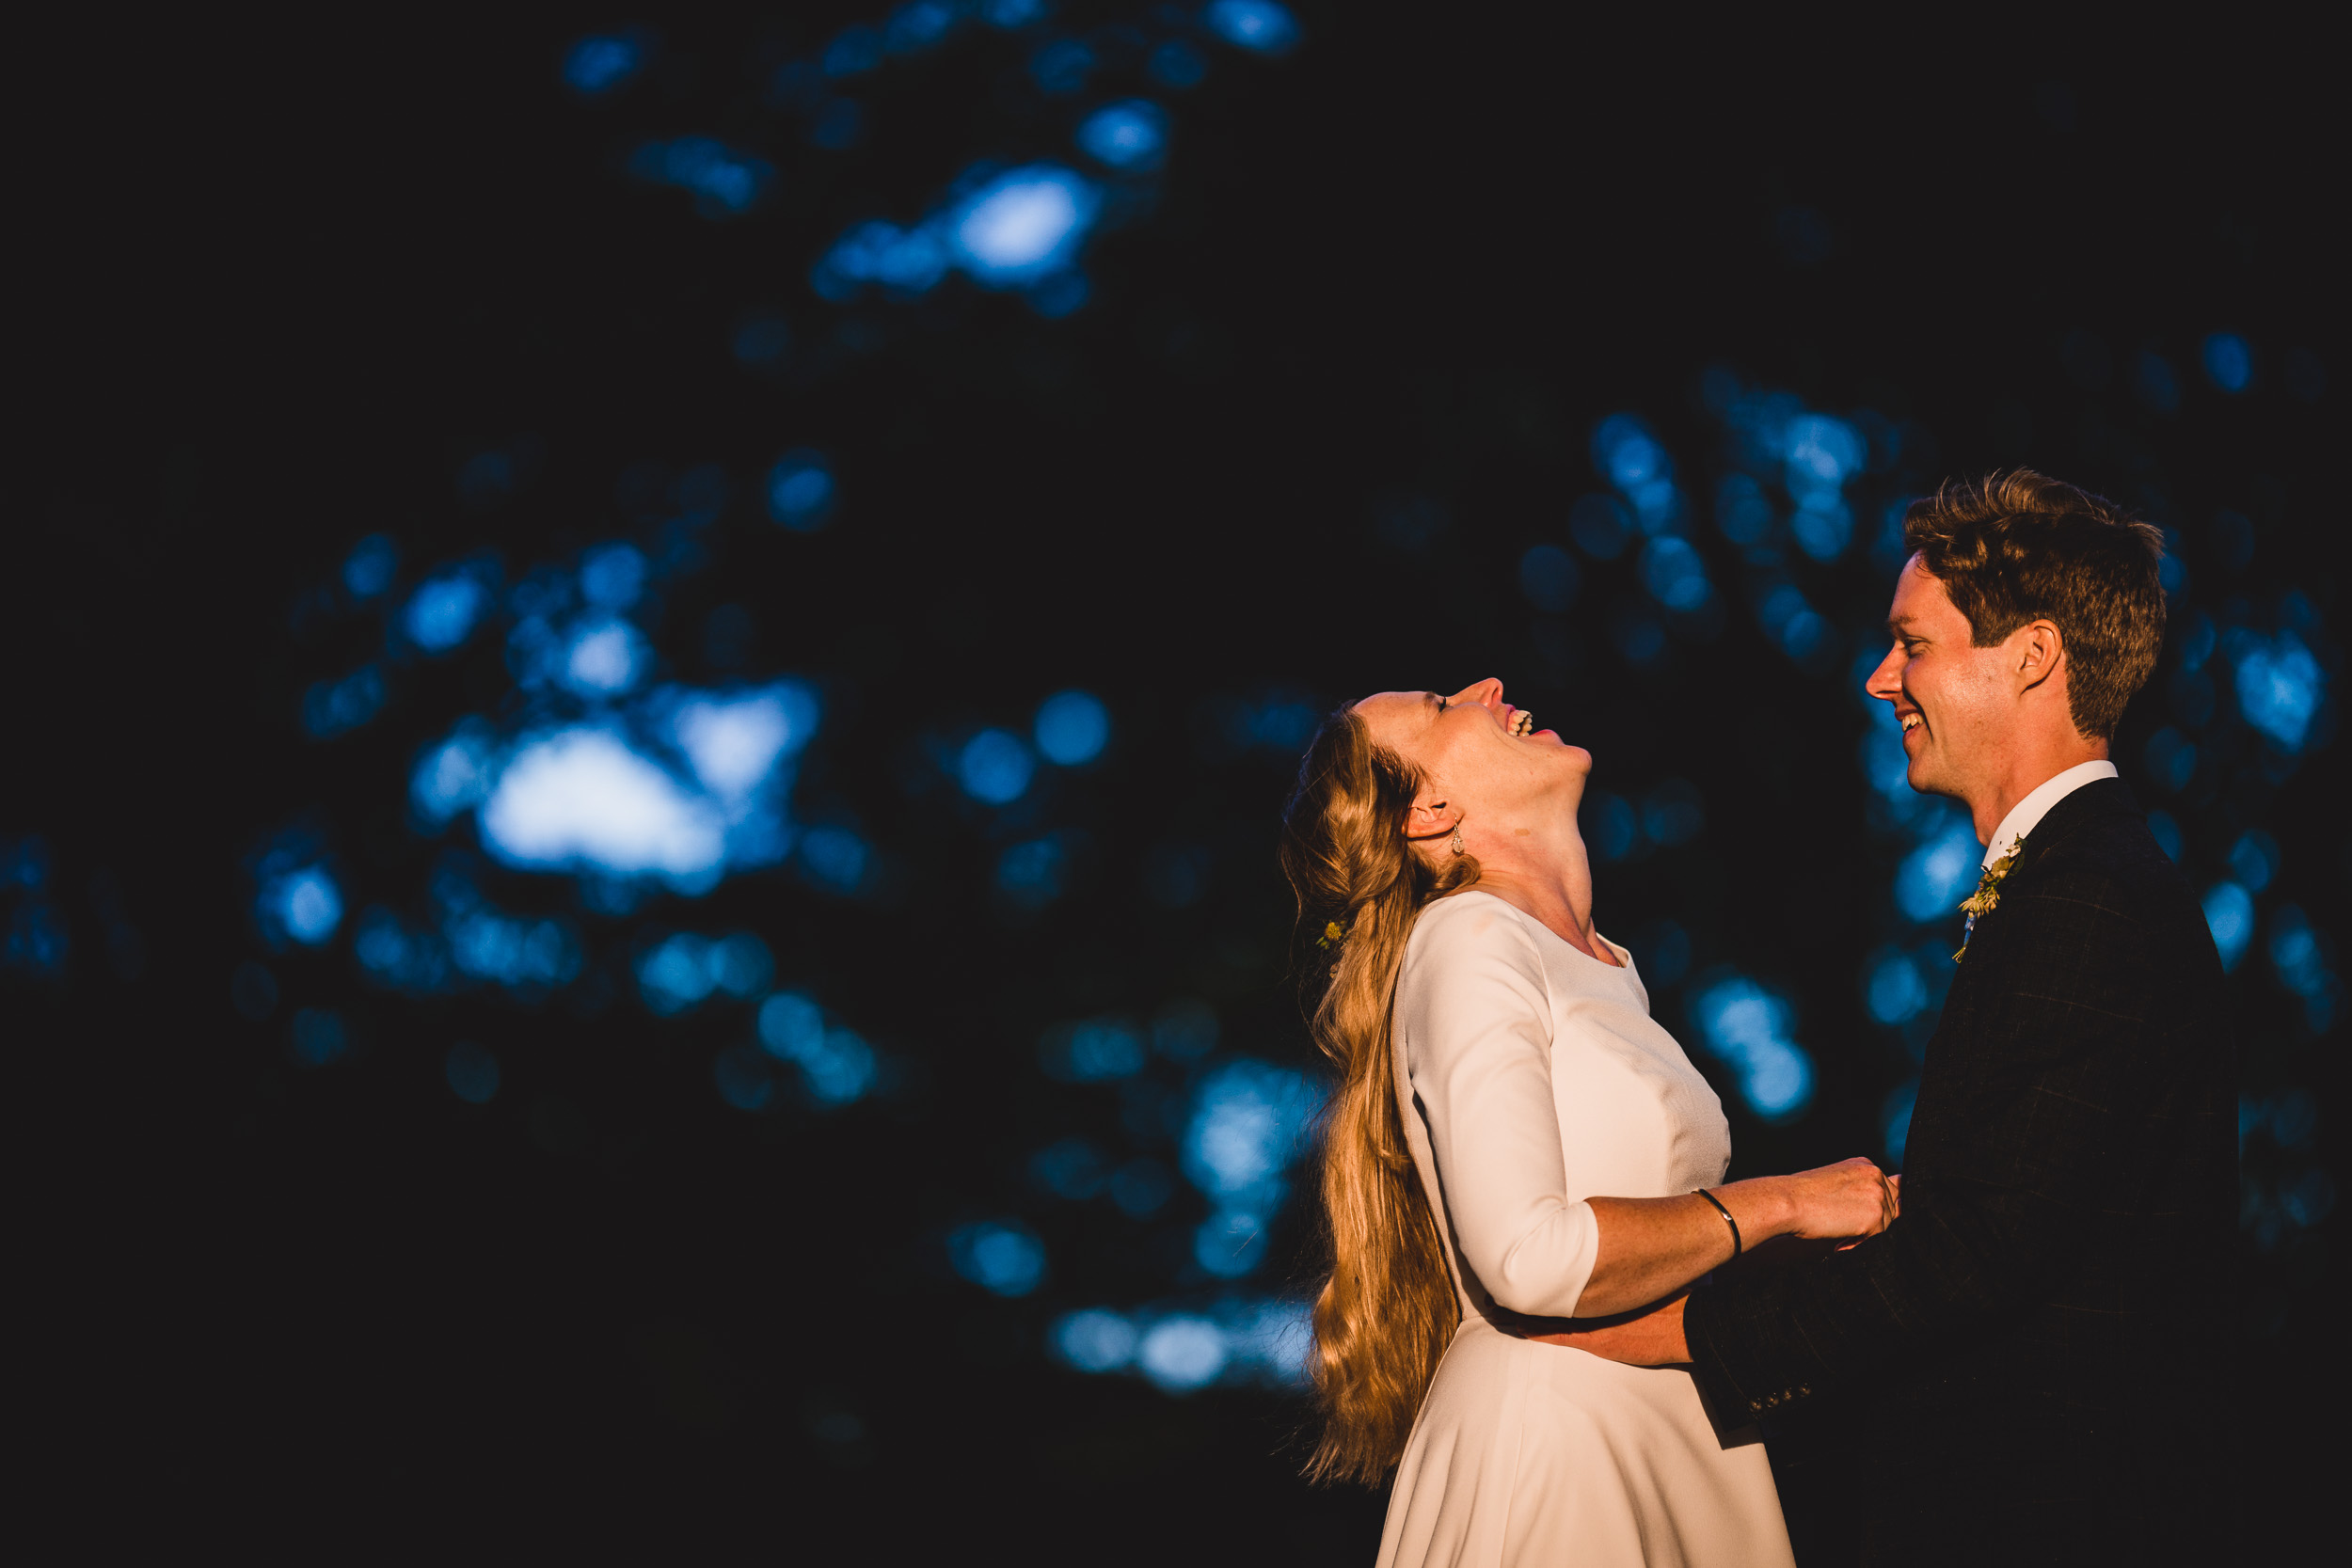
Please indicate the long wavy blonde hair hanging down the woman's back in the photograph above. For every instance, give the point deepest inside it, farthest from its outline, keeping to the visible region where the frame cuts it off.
(1389, 1308)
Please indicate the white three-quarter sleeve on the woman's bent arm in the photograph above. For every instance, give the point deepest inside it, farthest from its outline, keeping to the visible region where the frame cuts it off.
(1476, 1021)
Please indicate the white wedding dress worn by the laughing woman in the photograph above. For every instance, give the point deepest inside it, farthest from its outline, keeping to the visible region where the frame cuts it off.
(1535, 1078)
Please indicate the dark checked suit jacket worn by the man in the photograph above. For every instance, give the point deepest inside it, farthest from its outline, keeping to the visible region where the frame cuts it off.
(2033, 1362)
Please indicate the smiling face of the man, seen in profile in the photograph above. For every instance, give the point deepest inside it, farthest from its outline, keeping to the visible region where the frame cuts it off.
(1956, 699)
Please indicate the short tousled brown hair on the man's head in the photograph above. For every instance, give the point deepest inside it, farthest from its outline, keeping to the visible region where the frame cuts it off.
(2024, 547)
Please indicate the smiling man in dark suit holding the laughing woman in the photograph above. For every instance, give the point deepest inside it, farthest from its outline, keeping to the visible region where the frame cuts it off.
(2031, 1362)
